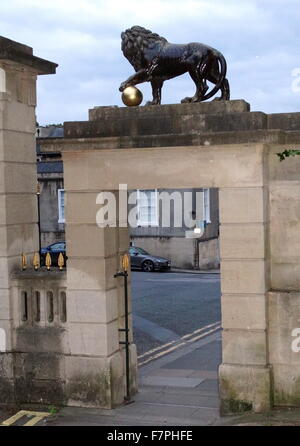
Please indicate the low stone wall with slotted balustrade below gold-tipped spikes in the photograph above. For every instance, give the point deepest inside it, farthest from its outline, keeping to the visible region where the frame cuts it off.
(40, 340)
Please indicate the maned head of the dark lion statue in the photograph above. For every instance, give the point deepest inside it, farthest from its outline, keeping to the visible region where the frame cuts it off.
(135, 41)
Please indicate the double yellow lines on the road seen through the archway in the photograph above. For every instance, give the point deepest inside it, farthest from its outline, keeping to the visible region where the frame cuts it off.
(157, 352)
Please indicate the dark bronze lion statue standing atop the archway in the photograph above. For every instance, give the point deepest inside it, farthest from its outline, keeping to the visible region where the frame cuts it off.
(155, 60)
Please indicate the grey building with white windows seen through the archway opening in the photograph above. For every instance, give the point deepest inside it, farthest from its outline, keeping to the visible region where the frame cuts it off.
(179, 243)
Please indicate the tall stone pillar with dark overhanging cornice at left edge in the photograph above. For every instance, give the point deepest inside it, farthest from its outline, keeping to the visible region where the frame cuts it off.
(18, 179)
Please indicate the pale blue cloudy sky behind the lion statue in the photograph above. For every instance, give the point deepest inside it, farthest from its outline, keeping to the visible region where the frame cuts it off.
(259, 38)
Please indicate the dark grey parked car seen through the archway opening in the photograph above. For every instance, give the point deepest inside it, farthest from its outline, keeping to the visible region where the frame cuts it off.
(141, 259)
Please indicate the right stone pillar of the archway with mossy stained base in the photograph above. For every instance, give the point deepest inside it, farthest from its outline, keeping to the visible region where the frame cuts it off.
(244, 373)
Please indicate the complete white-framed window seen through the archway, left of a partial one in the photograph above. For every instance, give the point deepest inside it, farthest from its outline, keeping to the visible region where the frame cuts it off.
(147, 207)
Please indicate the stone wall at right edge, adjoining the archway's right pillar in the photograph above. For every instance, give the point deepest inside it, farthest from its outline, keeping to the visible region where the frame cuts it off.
(284, 247)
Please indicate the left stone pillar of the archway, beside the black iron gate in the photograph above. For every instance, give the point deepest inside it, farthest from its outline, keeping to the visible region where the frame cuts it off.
(95, 367)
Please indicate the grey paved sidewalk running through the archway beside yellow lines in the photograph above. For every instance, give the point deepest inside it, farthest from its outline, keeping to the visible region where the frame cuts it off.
(180, 388)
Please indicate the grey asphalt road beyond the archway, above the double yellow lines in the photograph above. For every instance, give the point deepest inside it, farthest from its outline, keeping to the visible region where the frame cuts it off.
(168, 306)
